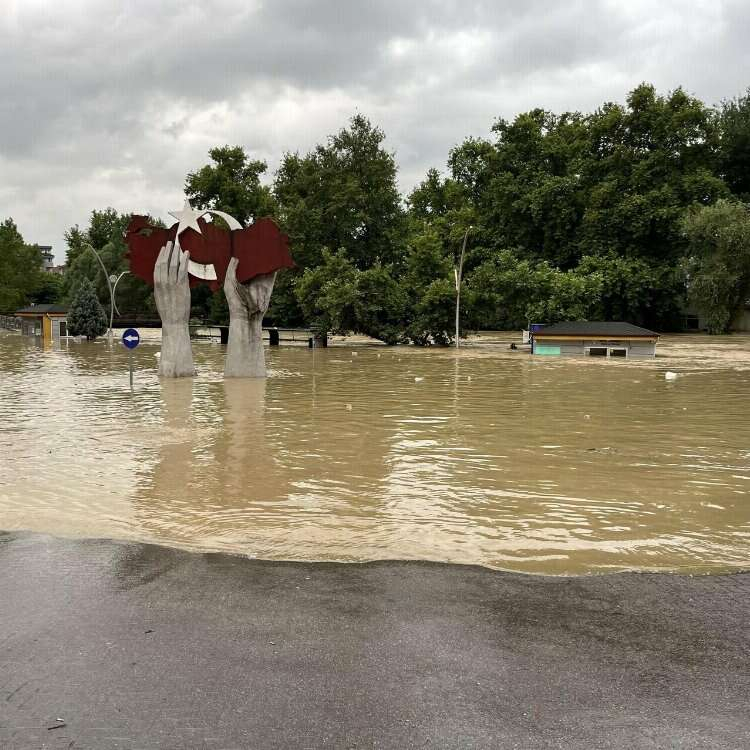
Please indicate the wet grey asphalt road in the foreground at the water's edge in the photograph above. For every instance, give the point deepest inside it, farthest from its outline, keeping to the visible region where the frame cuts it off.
(136, 646)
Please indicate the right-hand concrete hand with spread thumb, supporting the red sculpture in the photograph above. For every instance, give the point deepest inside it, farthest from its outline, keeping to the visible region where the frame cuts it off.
(248, 303)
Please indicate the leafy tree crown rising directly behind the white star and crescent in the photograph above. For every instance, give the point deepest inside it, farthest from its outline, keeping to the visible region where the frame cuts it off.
(231, 184)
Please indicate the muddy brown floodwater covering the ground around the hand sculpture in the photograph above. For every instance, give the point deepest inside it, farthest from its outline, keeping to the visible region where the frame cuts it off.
(363, 452)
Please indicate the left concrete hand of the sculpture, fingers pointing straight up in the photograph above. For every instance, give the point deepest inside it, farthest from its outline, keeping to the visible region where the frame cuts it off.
(172, 295)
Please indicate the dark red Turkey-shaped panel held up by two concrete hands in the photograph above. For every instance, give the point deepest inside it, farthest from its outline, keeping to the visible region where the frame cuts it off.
(260, 248)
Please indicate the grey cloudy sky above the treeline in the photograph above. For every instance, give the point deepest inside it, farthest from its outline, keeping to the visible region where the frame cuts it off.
(107, 103)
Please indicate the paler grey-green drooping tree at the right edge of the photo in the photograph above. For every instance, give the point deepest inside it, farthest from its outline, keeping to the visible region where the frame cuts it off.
(718, 261)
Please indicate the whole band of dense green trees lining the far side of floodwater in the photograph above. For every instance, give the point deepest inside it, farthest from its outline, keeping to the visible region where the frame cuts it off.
(620, 213)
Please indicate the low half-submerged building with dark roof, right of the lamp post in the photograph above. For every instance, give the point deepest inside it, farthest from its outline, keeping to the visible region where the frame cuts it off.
(594, 339)
